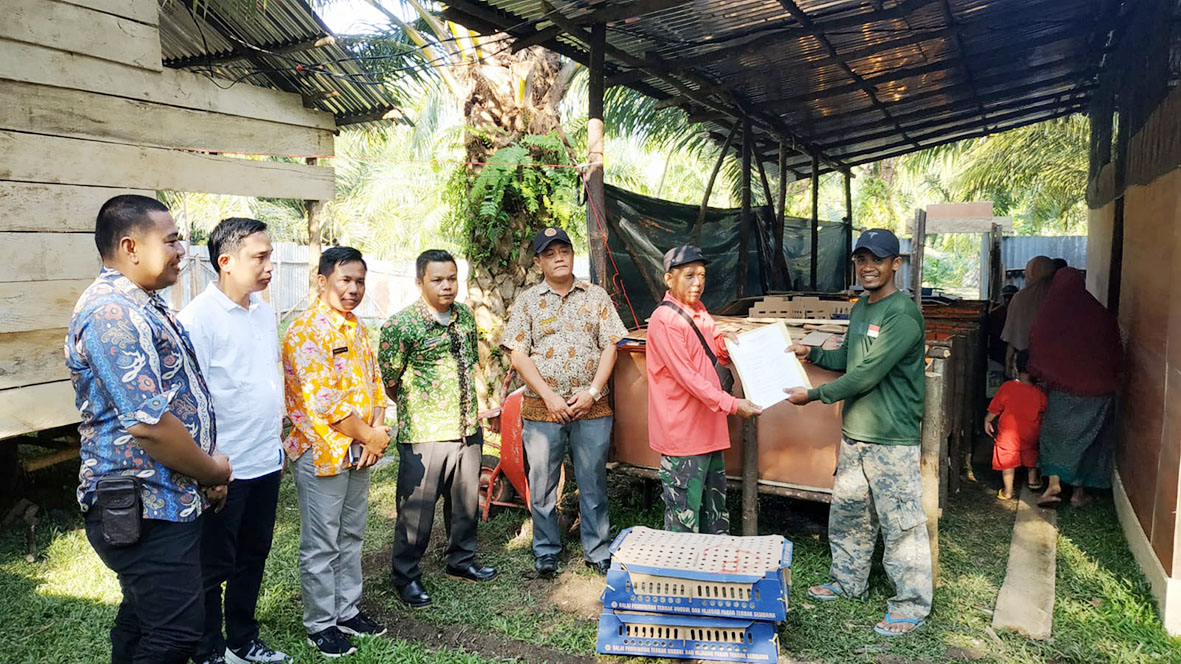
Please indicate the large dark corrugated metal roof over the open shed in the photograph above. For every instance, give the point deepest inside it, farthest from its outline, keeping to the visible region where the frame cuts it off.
(857, 81)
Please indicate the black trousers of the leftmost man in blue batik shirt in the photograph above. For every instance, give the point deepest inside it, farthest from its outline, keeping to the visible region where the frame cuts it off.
(162, 614)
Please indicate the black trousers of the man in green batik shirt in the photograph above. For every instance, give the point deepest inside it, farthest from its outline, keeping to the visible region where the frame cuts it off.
(427, 472)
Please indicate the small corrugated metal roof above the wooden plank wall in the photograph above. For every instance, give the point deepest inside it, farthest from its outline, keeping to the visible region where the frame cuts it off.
(284, 45)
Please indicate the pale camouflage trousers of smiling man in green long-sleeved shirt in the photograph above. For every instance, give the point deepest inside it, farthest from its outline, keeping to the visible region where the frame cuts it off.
(878, 487)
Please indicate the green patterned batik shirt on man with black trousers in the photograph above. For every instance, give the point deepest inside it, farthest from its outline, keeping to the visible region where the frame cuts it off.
(430, 369)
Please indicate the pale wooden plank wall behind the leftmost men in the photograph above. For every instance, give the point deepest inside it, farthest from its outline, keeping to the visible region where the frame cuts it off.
(89, 113)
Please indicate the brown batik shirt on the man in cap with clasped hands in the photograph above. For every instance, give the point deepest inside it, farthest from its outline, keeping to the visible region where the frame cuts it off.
(565, 337)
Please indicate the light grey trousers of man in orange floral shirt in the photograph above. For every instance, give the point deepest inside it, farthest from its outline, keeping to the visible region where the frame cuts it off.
(332, 516)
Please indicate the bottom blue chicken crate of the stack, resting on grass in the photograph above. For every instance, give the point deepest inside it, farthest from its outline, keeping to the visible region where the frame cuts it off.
(687, 637)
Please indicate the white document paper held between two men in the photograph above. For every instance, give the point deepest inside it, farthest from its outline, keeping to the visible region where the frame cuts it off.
(765, 364)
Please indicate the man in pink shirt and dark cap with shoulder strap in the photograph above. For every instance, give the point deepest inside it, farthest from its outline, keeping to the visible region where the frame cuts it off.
(688, 406)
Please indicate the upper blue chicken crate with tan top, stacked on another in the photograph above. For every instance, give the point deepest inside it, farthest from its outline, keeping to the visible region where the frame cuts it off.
(696, 575)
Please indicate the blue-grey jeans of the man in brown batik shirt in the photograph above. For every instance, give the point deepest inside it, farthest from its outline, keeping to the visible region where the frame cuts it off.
(545, 447)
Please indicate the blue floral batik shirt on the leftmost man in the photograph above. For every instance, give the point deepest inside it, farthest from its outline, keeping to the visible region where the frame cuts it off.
(131, 363)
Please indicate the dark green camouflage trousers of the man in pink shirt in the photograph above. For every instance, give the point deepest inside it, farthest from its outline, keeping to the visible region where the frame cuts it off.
(695, 494)
